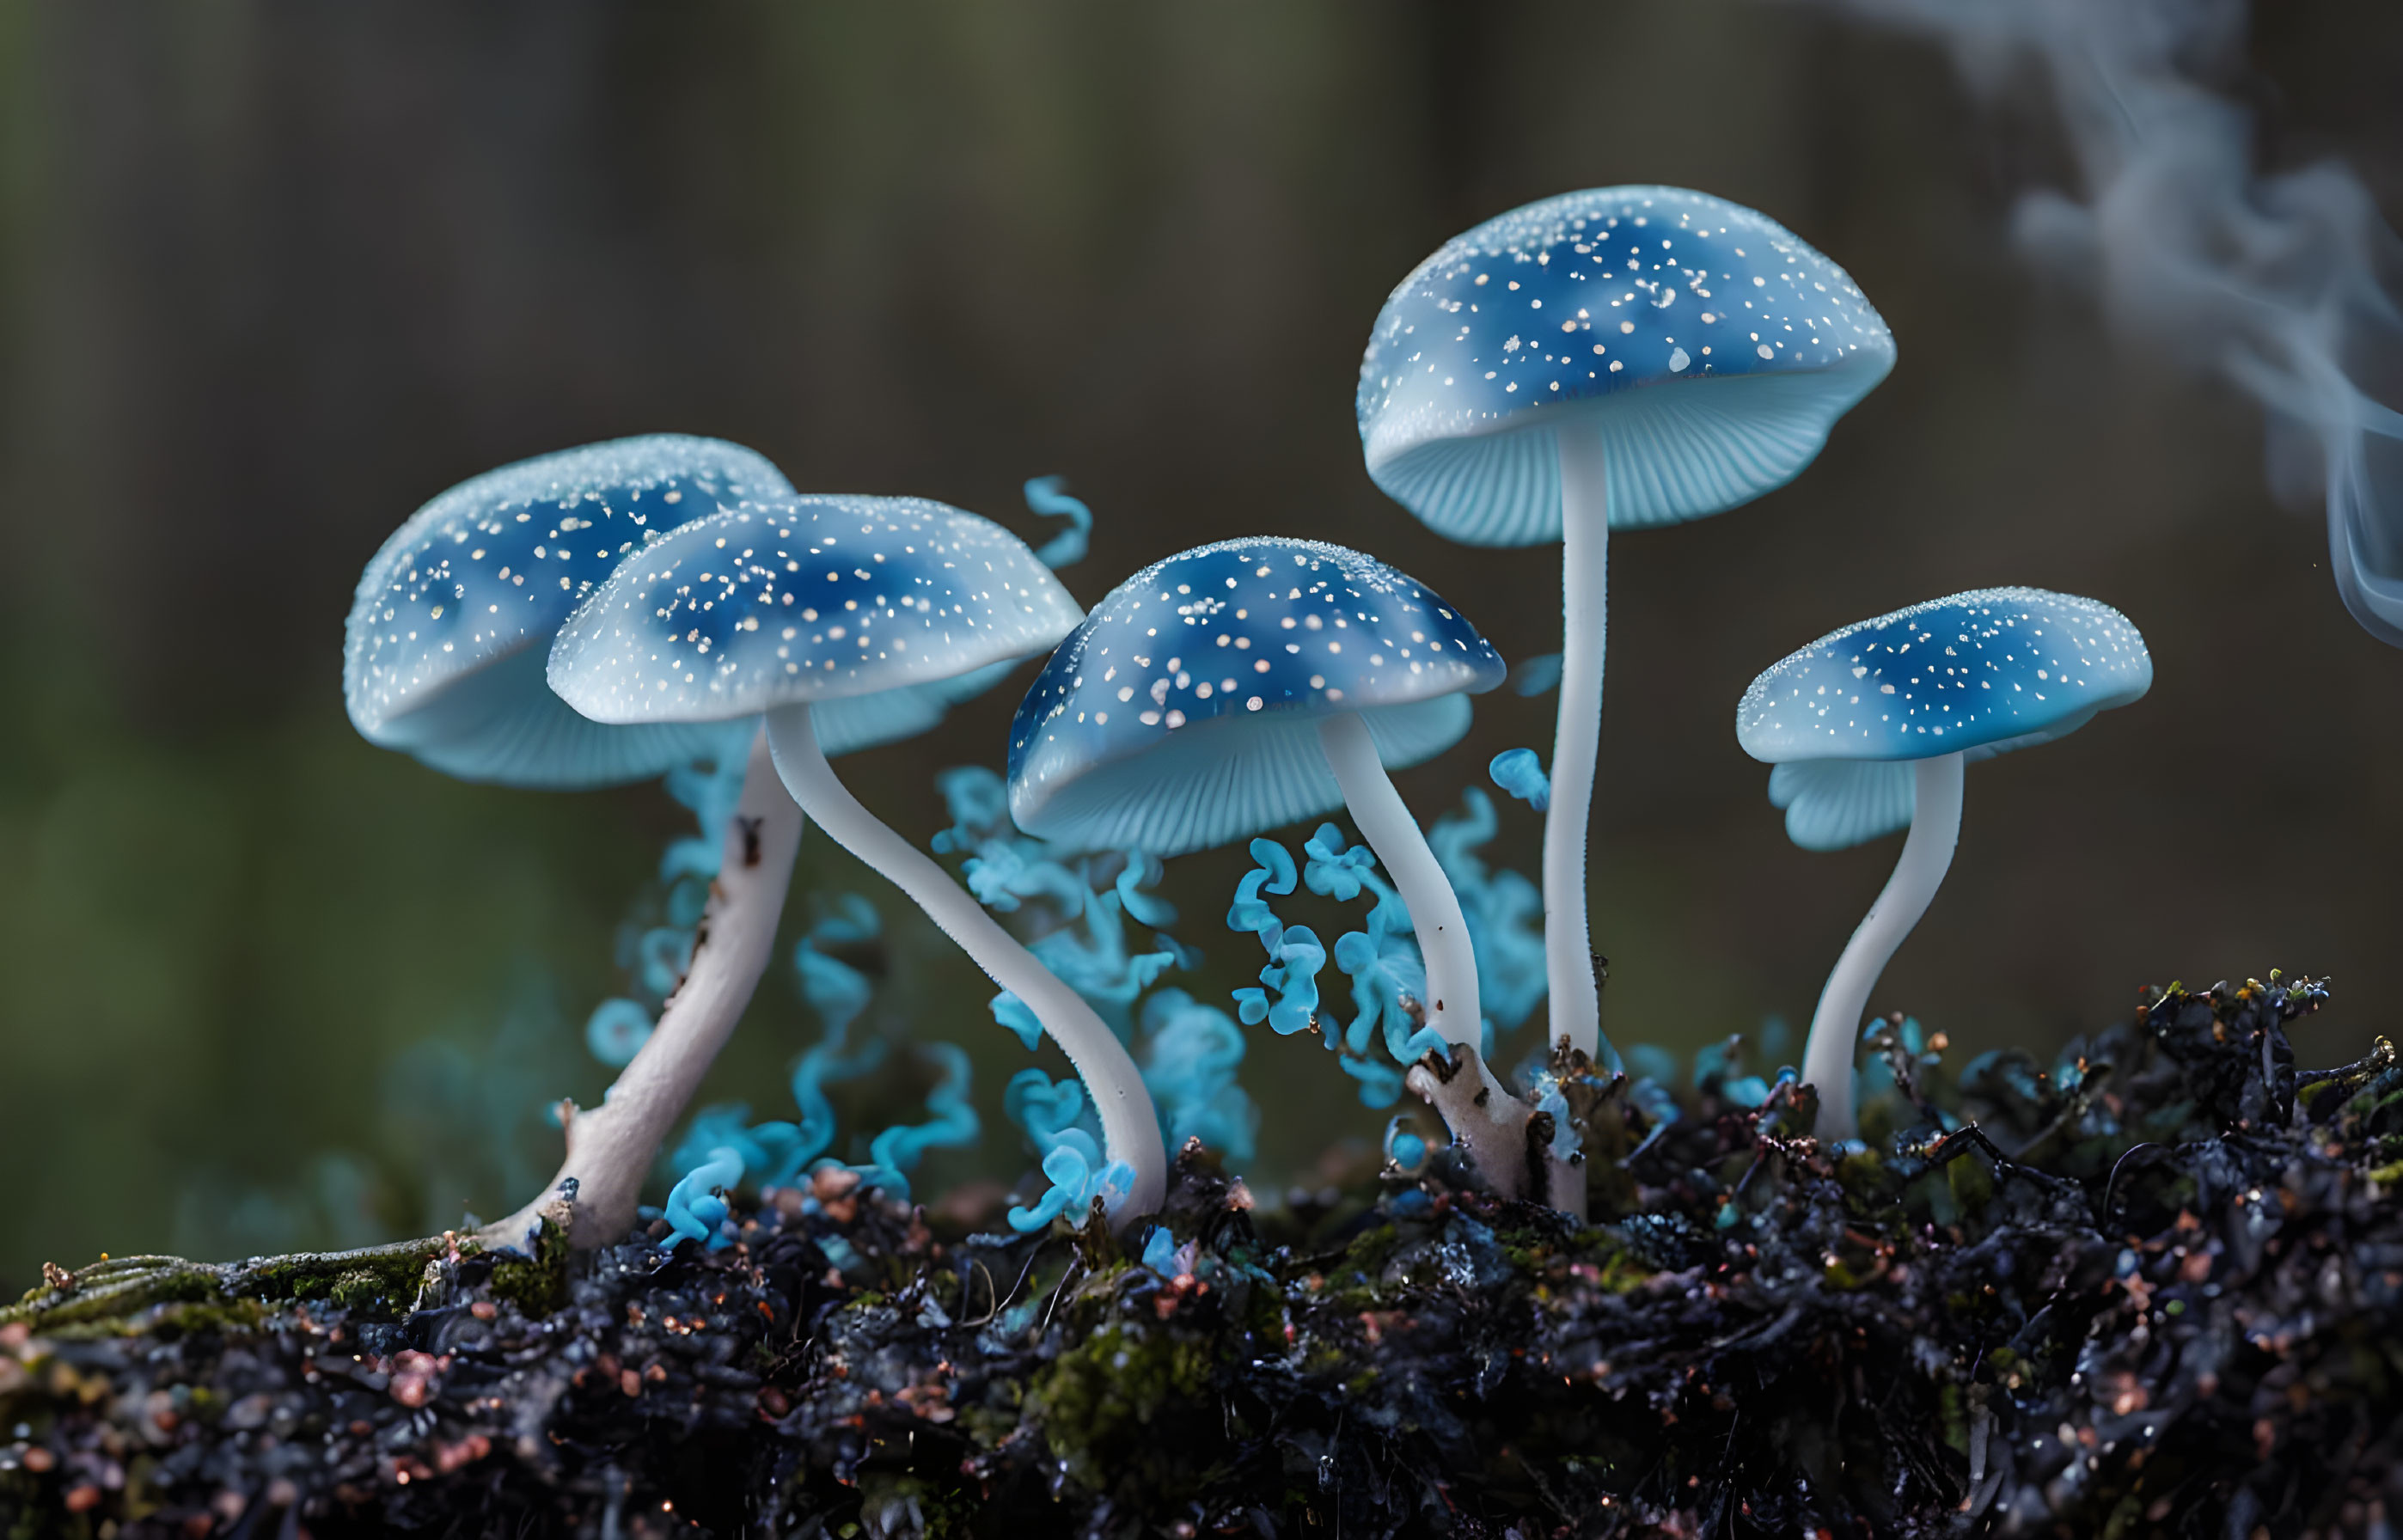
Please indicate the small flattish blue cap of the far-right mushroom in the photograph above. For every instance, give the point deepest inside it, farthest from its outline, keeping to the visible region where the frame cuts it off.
(1976, 674)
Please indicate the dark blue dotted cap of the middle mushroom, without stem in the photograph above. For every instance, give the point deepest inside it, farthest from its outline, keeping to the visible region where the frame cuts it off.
(1183, 712)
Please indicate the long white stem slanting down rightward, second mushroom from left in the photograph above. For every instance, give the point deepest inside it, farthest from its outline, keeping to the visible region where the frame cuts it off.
(1131, 1130)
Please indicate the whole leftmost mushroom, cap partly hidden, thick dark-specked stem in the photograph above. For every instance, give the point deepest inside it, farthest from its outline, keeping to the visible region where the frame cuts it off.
(446, 659)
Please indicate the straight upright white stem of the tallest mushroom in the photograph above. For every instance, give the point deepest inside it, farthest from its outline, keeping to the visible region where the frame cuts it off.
(1585, 595)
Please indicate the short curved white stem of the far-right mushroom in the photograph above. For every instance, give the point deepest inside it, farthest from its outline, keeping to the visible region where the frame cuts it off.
(1835, 1027)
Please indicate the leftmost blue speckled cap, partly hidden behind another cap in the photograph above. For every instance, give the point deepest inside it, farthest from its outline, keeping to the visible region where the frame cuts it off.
(455, 616)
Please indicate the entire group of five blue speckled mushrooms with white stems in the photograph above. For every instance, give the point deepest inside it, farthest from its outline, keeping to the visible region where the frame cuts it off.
(1611, 359)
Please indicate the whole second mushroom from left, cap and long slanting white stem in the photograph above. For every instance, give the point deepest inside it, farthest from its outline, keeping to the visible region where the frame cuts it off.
(806, 609)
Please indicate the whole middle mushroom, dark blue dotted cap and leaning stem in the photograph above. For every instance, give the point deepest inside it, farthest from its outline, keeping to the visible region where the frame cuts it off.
(1258, 684)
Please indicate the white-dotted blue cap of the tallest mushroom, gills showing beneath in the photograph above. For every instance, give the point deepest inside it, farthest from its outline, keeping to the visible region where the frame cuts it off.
(1590, 304)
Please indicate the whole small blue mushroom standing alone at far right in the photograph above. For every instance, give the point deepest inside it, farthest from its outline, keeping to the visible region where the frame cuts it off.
(1868, 732)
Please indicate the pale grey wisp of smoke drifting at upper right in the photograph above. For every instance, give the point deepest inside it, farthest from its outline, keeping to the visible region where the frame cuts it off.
(2272, 282)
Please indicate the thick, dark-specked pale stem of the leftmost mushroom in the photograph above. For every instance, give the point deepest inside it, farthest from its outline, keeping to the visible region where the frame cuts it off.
(612, 1147)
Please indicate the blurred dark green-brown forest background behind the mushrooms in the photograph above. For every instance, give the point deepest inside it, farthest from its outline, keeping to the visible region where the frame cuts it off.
(275, 275)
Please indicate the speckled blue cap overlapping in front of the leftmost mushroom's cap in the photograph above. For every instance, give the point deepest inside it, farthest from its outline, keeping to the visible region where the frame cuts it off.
(883, 611)
